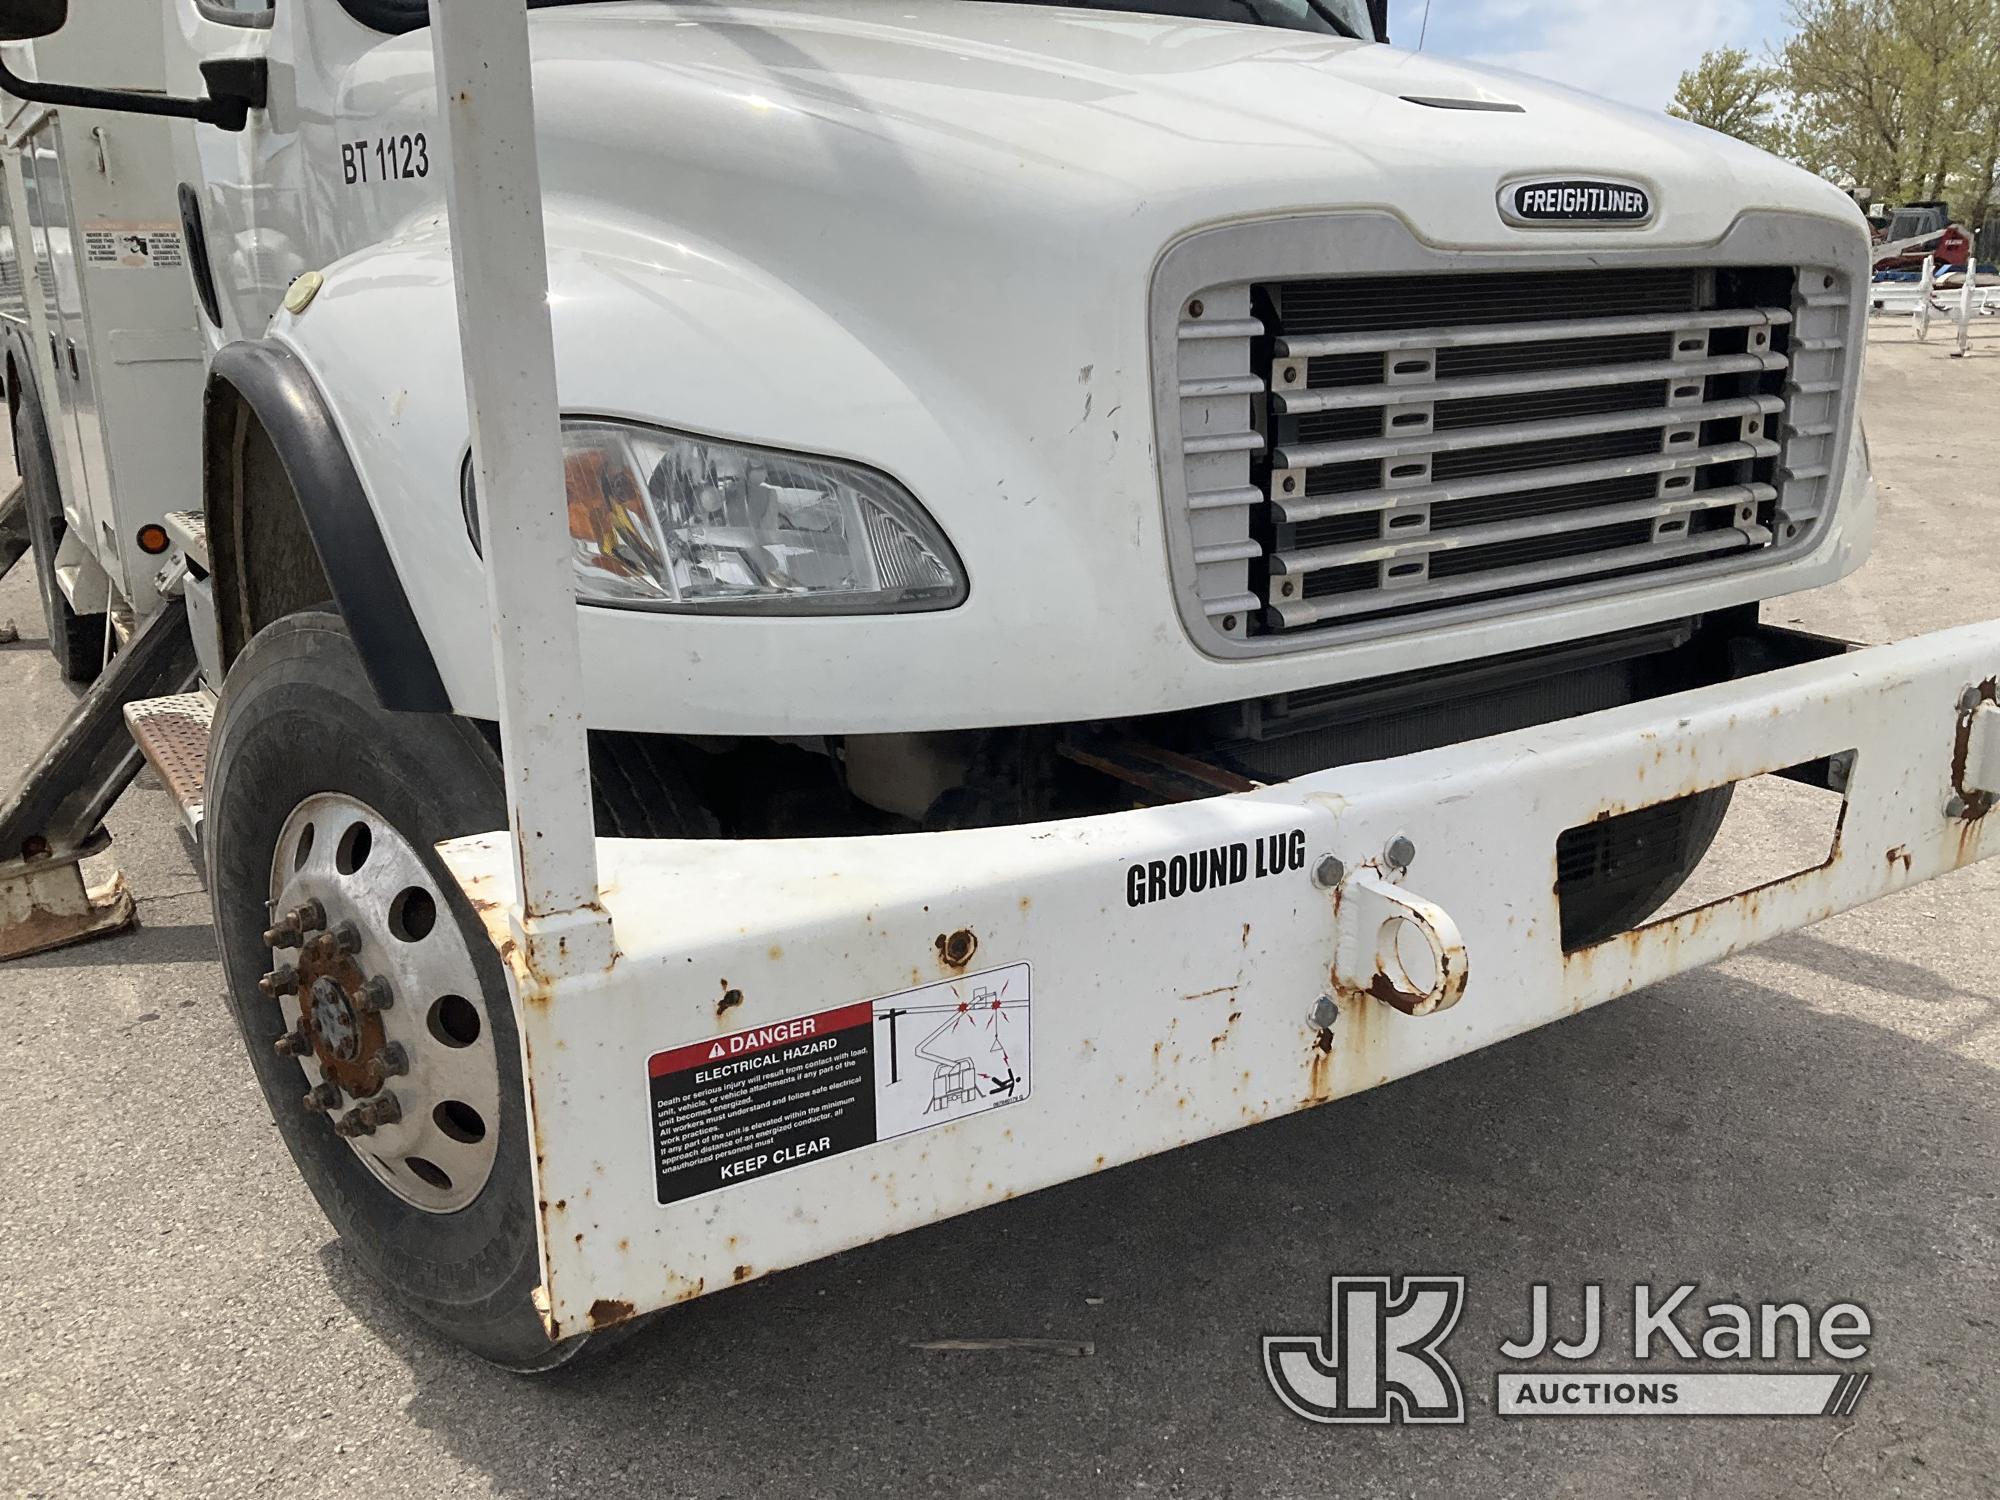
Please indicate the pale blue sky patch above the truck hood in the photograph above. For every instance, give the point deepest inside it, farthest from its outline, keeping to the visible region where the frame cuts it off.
(1631, 51)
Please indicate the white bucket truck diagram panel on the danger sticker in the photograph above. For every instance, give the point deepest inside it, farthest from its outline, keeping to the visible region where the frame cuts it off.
(953, 1049)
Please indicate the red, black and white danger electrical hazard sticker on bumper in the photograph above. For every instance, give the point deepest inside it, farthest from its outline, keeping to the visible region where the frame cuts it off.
(741, 1107)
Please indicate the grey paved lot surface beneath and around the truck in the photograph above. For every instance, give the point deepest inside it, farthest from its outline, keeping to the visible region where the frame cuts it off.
(1815, 1121)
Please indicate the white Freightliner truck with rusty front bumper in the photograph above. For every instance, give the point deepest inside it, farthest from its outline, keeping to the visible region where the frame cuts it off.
(1137, 567)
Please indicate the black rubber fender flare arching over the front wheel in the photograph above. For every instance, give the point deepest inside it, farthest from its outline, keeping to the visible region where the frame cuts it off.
(369, 593)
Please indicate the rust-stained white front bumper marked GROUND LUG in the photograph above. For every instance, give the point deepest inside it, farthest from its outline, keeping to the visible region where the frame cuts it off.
(1161, 1023)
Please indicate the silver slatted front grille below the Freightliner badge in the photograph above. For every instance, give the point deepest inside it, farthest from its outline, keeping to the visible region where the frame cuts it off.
(1375, 447)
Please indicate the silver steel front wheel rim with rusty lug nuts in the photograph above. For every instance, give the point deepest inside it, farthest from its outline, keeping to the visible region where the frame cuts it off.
(431, 1131)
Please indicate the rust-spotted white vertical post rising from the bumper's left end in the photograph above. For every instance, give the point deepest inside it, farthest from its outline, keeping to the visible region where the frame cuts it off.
(493, 191)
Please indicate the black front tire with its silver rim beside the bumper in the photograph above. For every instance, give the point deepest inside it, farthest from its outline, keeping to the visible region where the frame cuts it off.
(329, 805)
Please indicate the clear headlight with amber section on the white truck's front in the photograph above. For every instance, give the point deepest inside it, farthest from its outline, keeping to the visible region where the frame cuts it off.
(661, 521)
